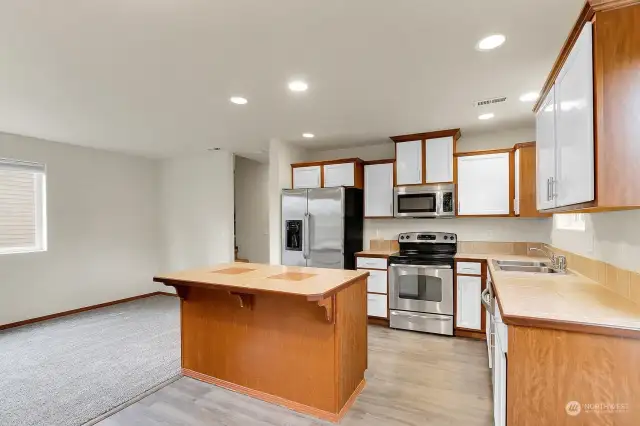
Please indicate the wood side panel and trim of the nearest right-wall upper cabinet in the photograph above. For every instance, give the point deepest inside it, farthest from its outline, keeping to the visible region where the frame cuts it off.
(616, 44)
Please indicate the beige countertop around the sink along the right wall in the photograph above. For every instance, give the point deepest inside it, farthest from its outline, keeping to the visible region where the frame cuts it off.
(567, 302)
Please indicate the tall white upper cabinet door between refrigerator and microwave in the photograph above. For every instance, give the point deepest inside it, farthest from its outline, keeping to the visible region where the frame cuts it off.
(378, 190)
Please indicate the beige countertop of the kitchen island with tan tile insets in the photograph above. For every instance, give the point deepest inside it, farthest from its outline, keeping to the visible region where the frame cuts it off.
(313, 283)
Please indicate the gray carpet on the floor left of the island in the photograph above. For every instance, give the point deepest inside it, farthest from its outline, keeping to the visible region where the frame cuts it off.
(72, 369)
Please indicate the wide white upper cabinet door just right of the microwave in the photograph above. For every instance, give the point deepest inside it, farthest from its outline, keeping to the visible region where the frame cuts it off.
(483, 185)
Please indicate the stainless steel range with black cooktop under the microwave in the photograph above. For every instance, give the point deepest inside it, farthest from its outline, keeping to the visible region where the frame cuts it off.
(421, 282)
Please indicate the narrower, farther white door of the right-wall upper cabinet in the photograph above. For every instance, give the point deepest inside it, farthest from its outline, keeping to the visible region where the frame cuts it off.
(546, 151)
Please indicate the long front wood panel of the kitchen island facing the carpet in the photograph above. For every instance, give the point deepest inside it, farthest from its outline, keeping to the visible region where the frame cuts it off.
(247, 346)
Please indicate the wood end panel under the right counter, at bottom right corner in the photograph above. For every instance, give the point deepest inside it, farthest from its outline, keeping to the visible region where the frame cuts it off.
(547, 369)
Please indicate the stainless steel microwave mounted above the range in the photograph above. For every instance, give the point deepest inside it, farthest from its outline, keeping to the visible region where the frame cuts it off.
(431, 201)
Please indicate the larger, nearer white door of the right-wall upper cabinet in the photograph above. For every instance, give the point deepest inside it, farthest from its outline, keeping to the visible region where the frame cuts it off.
(575, 176)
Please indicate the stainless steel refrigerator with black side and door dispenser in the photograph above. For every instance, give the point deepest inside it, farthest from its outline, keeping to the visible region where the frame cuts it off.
(322, 227)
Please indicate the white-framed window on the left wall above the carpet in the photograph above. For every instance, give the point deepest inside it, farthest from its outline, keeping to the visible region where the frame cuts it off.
(22, 207)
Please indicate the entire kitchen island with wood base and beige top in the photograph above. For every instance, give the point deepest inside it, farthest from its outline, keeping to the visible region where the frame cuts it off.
(293, 336)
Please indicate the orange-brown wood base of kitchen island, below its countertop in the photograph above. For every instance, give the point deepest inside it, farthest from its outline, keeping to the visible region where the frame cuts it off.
(307, 356)
